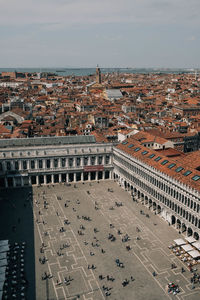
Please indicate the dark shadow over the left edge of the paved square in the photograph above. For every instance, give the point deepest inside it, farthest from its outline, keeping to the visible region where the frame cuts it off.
(17, 226)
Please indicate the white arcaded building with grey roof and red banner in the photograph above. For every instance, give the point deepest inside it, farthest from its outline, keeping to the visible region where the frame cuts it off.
(26, 162)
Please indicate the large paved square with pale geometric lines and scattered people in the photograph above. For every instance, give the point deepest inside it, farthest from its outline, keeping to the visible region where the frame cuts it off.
(74, 229)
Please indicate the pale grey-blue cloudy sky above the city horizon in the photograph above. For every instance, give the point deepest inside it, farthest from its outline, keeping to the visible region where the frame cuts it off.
(110, 33)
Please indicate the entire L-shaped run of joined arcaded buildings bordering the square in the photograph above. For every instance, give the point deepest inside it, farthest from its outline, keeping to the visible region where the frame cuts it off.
(161, 183)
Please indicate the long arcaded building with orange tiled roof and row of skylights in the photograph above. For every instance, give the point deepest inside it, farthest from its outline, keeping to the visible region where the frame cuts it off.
(174, 200)
